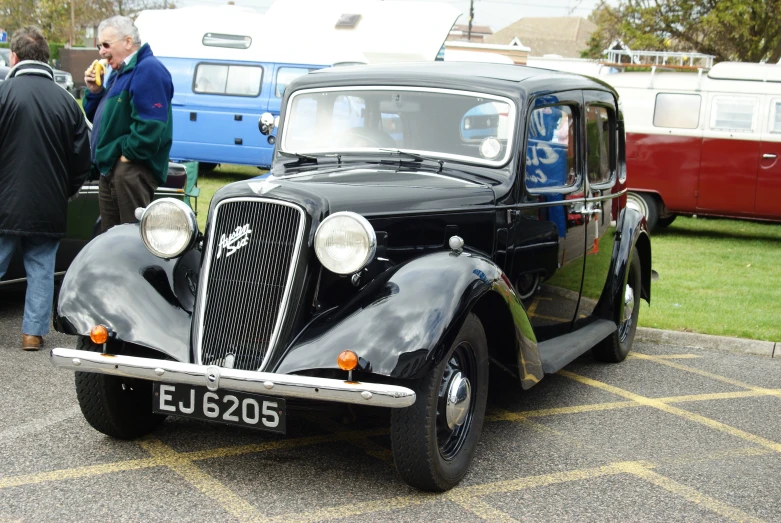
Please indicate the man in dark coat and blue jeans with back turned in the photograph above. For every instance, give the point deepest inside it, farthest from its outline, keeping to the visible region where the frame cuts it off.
(44, 159)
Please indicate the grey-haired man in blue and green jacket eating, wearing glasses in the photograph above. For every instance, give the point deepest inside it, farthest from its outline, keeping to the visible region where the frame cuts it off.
(132, 122)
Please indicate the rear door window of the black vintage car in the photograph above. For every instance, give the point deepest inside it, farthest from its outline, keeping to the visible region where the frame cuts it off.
(600, 146)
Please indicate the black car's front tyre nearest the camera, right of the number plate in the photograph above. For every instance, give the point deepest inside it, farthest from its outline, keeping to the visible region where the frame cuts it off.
(429, 455)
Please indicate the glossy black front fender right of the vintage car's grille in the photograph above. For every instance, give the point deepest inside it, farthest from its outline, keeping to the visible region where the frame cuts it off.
(405, 319)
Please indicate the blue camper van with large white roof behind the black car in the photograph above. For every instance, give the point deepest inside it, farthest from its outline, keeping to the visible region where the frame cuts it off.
(231, 64)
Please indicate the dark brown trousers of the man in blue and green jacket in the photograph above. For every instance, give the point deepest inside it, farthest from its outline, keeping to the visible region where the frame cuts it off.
(126, 187)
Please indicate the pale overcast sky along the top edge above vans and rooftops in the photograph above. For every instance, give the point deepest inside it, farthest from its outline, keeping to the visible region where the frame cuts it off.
(496, 13)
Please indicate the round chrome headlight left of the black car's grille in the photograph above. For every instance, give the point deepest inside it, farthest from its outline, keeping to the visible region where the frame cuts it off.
(168, 227)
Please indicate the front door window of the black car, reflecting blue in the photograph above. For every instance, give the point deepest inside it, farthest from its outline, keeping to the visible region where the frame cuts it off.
(550, 151)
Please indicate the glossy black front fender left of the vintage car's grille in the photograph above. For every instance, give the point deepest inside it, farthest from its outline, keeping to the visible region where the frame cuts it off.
(117, 282)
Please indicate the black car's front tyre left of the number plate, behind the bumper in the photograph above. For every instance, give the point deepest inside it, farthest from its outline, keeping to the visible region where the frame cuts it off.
(118, 407)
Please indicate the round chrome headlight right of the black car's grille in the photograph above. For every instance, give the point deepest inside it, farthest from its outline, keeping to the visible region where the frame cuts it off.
(345, 242)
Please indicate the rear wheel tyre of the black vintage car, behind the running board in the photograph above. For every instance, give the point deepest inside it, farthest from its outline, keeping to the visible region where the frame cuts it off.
(615, 347)
